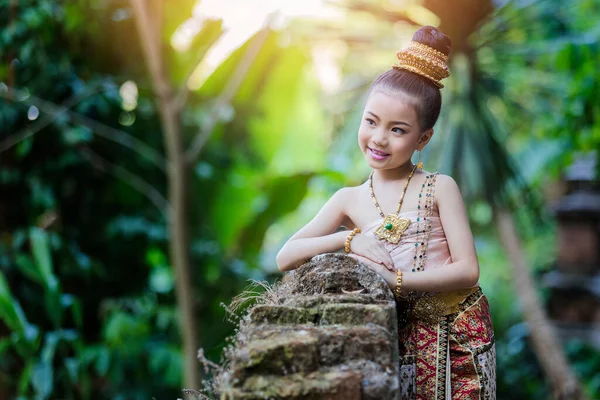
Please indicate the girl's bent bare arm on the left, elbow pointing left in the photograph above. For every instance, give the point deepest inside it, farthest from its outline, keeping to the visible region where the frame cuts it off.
(317, 236)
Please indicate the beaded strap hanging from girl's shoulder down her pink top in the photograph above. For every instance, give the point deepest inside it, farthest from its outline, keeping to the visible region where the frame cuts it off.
(419, 260)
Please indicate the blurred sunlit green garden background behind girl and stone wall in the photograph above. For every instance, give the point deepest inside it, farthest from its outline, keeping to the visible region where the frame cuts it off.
(155, 155)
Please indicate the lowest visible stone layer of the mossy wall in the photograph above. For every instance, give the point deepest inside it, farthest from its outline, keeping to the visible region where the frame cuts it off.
(318, 385)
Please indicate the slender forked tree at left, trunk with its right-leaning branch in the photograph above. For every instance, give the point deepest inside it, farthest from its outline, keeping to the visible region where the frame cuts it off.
(155, 21)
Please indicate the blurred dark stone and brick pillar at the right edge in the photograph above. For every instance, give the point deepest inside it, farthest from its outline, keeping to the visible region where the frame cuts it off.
(574, 302)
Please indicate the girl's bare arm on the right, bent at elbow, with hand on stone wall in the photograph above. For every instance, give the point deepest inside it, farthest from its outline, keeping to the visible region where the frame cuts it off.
(463, 272)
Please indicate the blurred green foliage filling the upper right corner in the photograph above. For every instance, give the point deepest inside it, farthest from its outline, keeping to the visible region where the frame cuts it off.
(560, 43)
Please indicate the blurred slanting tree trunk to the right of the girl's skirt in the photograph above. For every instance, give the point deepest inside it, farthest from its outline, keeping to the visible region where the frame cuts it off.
(546, 346)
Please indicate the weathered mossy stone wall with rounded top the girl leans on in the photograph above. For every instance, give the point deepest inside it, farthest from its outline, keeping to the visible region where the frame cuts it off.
(328, 331)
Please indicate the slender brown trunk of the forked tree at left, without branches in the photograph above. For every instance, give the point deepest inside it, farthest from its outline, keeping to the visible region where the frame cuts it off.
(147, 16)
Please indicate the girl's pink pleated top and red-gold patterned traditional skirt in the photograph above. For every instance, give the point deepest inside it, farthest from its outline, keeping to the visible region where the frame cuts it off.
(446, 340)
